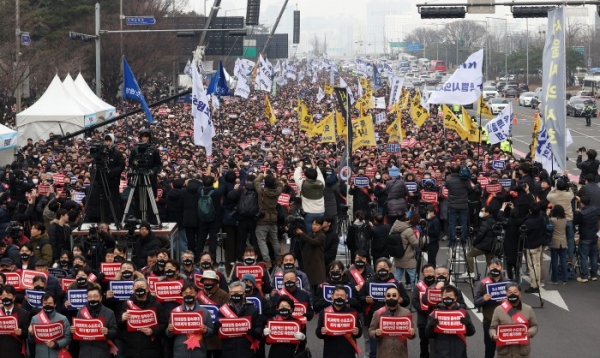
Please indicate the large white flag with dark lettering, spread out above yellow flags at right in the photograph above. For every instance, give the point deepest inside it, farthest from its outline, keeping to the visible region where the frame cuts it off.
(464, 86)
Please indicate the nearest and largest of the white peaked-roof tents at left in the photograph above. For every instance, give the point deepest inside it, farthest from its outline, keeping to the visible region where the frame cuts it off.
(55, 112)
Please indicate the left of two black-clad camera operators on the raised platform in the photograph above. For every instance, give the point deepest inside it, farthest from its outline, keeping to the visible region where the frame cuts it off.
(110, 162)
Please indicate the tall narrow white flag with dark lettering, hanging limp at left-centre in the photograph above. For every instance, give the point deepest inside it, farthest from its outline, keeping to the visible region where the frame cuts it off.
(204, 129)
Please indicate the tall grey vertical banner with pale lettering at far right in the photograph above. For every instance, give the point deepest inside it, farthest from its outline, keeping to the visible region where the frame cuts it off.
(553, 84)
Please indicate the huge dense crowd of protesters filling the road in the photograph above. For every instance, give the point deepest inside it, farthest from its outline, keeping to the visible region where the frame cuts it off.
(272, 183)
